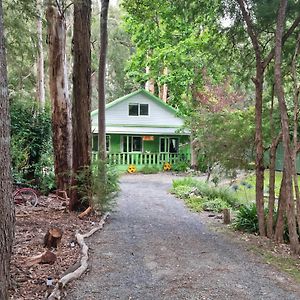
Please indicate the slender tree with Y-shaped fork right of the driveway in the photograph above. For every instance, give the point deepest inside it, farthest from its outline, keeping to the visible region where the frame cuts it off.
(252, 14)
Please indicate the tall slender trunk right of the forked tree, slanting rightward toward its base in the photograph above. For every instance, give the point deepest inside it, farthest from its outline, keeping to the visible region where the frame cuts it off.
(288, 195)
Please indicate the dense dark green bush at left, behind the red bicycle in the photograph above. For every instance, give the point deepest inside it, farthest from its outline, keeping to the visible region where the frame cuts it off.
(31, 144)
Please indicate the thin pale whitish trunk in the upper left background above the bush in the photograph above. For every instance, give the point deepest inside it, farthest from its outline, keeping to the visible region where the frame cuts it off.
(40, 59)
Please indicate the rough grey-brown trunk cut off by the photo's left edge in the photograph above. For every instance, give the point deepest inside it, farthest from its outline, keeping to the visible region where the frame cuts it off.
(6, 202)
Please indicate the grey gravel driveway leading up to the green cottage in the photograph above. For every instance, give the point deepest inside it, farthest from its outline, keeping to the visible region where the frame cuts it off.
(155, 248)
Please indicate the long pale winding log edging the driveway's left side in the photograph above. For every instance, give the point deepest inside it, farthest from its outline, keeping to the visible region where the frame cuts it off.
(56, 294)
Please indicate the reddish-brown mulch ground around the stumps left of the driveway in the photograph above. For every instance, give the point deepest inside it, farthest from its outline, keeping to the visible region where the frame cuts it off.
(32, 223)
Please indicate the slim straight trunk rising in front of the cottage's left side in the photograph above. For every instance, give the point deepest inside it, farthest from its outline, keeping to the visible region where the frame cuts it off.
(101, 80)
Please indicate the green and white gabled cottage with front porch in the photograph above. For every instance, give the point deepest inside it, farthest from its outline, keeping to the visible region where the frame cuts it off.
(142, 130)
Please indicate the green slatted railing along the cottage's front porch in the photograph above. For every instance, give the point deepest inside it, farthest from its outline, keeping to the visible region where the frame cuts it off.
(144, 158)
